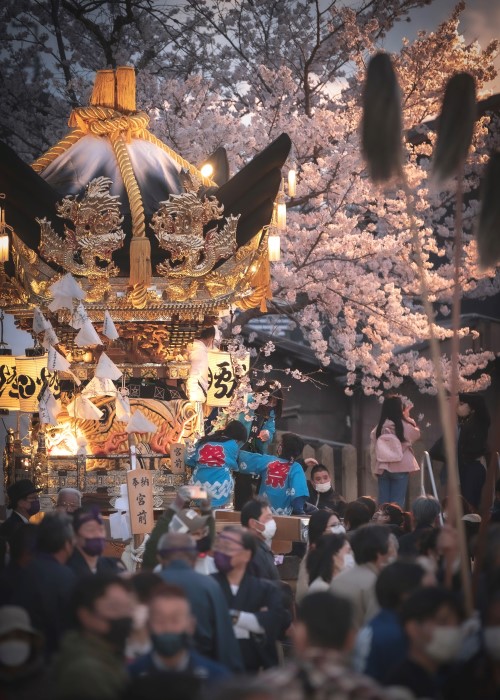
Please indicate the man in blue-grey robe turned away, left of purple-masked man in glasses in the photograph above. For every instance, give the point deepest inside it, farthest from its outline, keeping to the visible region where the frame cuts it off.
(214, 635)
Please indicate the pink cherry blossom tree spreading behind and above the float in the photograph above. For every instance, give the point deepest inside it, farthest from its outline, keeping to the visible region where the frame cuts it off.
(237, 73)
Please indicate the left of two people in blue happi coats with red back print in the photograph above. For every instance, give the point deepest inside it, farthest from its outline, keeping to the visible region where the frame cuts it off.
(213, 459)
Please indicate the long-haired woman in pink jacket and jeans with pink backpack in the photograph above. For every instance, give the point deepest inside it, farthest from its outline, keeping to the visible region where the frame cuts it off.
(393, 459)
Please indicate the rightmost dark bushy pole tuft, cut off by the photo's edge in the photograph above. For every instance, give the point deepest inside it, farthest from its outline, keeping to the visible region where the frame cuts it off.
(488, 230)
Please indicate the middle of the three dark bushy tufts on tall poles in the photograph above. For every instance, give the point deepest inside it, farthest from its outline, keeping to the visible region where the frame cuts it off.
(455, 126)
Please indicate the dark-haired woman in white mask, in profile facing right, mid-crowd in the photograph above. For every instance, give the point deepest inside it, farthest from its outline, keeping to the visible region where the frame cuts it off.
(328, 559)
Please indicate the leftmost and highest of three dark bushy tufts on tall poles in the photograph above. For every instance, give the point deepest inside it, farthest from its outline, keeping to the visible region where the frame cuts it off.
(381, 129)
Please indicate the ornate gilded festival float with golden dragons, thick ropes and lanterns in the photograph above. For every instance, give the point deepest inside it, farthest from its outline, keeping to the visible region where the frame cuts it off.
(117, 252)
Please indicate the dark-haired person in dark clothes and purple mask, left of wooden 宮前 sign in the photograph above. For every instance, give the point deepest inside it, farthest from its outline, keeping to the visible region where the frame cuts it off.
(90, 540)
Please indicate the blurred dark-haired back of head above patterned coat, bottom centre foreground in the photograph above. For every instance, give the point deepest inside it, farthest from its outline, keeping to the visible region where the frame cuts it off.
(328, 620)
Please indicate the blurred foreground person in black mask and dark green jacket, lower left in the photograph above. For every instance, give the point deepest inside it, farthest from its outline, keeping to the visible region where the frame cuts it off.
(91, 663)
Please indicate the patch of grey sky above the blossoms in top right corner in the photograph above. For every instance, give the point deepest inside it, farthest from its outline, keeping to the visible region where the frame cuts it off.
(480, 20)
